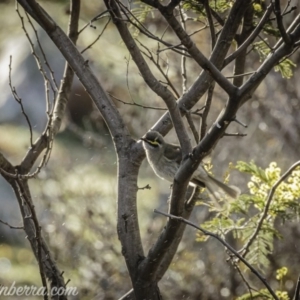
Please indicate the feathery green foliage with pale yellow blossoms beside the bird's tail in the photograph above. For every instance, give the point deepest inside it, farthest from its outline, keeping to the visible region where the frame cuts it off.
(254, 213)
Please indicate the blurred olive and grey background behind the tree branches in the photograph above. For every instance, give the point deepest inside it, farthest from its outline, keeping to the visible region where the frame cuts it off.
(75, 195)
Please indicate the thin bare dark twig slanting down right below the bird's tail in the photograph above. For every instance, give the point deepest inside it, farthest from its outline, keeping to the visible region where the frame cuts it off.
(217, 237)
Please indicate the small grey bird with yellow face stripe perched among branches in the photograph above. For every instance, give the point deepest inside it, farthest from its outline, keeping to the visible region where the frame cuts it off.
(165, 160)
